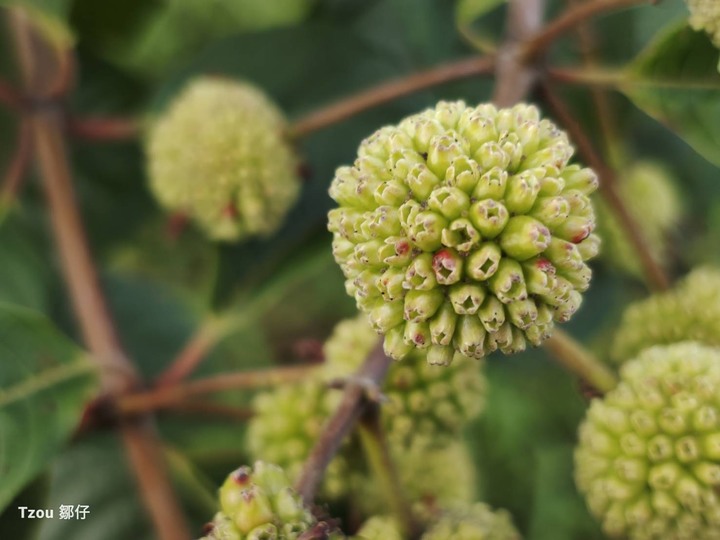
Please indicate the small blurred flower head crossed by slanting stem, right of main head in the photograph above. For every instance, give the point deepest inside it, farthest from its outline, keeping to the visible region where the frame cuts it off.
(651, 198)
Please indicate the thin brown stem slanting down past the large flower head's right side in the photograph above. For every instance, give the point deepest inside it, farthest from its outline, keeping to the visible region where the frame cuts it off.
(654, 275)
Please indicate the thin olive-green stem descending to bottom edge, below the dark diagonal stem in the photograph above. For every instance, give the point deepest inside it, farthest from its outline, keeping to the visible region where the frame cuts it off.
(374, 442)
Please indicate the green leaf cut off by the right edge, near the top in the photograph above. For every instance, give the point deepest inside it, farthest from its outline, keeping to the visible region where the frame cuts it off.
(676, 81)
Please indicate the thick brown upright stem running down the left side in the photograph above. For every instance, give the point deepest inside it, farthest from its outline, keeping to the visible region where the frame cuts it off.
(42, 75)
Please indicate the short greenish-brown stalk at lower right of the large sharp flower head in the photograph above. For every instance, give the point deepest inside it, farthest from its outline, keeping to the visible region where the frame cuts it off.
(578, 360)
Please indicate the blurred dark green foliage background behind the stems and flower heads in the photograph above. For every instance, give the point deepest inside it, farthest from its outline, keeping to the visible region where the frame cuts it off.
(133, 55)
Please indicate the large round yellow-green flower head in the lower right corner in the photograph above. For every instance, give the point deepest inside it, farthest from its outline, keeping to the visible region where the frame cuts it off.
(648, 460)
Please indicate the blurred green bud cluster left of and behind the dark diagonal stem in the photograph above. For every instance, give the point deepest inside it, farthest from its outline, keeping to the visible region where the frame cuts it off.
(286, 425)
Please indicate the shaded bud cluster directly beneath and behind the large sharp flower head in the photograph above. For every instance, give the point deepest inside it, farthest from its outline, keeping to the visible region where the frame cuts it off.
(425, 402)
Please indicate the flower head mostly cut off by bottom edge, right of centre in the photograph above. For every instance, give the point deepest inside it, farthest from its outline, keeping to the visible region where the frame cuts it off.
(475, 522)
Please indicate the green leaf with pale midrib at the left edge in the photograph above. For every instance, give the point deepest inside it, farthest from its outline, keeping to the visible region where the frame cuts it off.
(45, 380)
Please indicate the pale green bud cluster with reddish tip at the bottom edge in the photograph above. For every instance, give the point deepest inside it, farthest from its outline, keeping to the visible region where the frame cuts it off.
(259, 503)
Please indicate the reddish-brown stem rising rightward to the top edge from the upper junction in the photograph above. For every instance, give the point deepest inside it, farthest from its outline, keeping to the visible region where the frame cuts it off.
(570, 19)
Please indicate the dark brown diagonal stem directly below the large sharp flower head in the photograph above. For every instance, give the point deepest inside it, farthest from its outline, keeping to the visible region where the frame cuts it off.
(341, 424)
